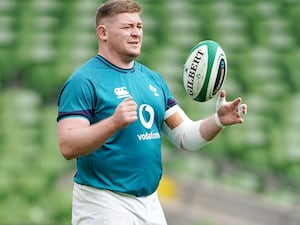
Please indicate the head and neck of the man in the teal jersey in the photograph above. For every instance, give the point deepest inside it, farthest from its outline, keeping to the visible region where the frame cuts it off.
(119, 30)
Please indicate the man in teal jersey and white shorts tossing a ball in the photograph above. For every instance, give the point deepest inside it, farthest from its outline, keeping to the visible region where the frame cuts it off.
(112, 111)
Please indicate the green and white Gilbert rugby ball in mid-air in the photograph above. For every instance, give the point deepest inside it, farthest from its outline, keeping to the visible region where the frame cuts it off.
(204, 71)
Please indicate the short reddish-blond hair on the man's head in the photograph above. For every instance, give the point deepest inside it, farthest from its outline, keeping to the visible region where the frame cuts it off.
(114, 7)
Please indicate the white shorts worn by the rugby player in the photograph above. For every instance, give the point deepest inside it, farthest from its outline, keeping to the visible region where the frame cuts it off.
(93, 206)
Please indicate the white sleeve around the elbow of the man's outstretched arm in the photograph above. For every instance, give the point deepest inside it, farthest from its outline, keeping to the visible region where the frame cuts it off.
(187, 134)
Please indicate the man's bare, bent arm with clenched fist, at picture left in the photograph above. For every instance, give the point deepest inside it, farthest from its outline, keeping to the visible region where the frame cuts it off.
(76, 137)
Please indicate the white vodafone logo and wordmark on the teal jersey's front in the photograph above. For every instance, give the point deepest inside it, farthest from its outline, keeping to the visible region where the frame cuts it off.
(146, 116)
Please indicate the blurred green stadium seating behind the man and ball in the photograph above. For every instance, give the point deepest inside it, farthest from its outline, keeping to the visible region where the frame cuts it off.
(249, 175)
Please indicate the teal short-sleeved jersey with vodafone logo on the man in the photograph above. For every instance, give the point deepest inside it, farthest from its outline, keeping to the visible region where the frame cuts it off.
(129, 161)
